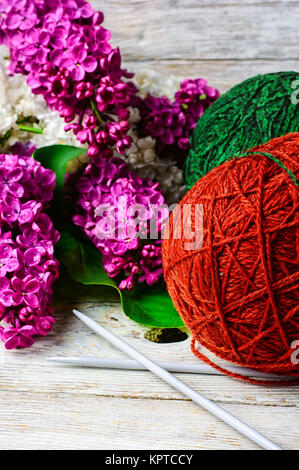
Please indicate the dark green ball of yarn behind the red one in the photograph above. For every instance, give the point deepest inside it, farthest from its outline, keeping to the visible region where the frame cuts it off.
(251, 113)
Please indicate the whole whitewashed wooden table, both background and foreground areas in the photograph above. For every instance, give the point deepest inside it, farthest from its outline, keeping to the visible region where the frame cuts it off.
(54, 407)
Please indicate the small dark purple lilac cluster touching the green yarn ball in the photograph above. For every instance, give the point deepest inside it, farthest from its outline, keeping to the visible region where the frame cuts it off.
(172, 122)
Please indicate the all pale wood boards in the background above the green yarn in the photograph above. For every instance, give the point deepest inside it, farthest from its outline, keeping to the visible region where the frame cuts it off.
(223, 41)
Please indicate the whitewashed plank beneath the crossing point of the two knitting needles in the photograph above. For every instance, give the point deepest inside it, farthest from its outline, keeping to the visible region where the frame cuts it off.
(25, 369)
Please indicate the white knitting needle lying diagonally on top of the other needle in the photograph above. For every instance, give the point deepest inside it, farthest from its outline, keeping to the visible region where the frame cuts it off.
(180, 386)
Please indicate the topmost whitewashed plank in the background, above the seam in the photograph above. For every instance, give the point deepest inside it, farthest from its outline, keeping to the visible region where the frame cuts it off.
(162, 29)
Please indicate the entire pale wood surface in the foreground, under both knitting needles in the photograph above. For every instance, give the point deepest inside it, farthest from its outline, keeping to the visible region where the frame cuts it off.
(56, 407)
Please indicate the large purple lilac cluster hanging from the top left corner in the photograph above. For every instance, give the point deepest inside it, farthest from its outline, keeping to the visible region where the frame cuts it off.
(65, 53)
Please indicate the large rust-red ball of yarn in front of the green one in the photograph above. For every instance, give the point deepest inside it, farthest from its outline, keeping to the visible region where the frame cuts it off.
(238, 292)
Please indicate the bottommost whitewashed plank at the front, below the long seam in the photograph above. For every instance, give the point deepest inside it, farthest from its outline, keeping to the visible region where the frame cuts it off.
(63, 421)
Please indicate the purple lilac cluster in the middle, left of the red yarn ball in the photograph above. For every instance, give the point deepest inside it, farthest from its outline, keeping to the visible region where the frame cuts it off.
(110, 199)
